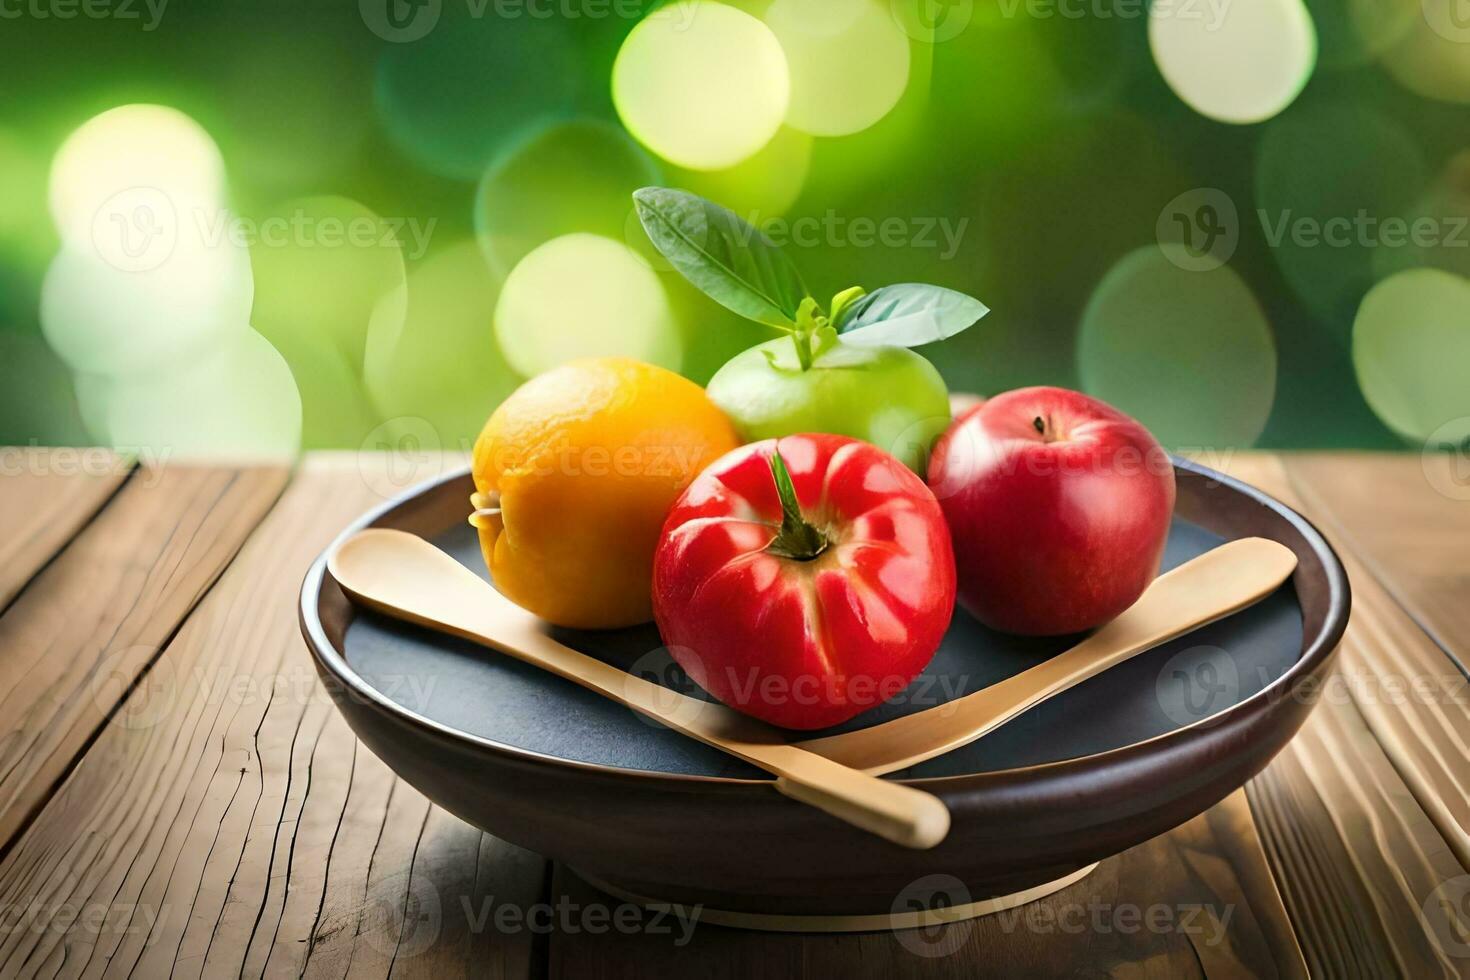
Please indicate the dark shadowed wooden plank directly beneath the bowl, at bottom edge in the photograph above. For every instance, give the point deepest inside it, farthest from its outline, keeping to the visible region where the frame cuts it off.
(1197, 901)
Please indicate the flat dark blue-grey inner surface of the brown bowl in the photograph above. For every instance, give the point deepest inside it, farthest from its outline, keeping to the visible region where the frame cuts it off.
(474, 690)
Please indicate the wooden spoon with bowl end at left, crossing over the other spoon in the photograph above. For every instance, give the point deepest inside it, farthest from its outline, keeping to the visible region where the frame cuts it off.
(408, 578)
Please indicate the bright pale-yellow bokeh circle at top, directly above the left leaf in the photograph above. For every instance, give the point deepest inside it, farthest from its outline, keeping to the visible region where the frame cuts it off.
(702, 84)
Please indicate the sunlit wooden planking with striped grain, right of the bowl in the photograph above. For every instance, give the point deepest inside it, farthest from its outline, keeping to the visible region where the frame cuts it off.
(1363, 815)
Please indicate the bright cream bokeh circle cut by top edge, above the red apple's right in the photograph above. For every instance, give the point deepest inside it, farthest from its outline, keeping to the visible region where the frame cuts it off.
(1237, 64)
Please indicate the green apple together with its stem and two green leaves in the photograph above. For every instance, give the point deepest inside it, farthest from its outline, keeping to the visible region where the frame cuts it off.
(845, 370)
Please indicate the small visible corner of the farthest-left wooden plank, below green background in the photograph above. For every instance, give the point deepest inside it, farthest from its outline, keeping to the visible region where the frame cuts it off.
(46, 497)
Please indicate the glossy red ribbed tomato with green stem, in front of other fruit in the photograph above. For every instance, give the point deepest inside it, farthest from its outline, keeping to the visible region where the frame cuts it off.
(808, 586)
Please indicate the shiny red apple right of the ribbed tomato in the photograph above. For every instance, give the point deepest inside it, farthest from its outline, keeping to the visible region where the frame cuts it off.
(1059, 508)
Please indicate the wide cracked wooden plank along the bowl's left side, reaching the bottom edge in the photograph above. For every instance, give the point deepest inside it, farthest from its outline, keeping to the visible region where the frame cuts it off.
(245, 831)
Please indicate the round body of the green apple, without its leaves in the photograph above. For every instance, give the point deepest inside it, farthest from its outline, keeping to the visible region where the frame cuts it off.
(886, 396)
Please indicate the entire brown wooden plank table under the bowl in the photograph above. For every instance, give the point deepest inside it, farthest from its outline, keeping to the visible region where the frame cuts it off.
(180, 799)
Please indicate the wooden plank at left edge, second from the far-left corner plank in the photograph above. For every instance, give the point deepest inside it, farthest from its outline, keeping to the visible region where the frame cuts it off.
(89, 625)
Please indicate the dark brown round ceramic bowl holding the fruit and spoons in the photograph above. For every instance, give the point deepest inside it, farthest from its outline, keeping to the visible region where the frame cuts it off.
(1112, 763)
